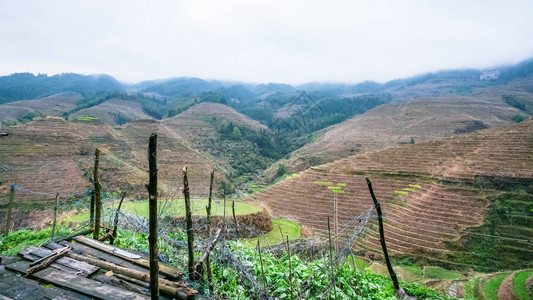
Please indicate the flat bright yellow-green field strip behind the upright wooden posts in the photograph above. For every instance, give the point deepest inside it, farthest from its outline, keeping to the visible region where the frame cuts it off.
(175, 208)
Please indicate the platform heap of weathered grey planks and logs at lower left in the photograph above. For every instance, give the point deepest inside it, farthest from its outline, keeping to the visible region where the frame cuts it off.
(97, 270)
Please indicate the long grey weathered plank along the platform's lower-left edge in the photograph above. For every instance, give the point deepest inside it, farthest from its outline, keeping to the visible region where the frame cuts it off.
(79, 284)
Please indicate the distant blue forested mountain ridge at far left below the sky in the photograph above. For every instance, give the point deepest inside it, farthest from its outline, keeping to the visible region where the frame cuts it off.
(26, 86)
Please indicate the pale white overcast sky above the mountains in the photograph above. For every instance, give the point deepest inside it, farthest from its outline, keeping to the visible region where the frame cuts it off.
(262, 41)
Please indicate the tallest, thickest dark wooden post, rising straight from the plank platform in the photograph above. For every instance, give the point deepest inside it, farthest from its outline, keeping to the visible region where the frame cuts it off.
(152, 206)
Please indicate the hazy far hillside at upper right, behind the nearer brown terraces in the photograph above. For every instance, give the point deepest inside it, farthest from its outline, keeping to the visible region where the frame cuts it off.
(424, 119)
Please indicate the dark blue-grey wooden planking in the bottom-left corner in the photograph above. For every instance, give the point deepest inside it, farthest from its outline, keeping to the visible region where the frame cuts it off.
(18, 287)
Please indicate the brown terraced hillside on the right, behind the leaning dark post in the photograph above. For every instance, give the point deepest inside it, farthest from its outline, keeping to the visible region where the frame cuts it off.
(430, 192)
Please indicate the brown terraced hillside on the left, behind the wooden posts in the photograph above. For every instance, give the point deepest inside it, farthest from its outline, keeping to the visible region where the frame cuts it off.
(52, 155)
